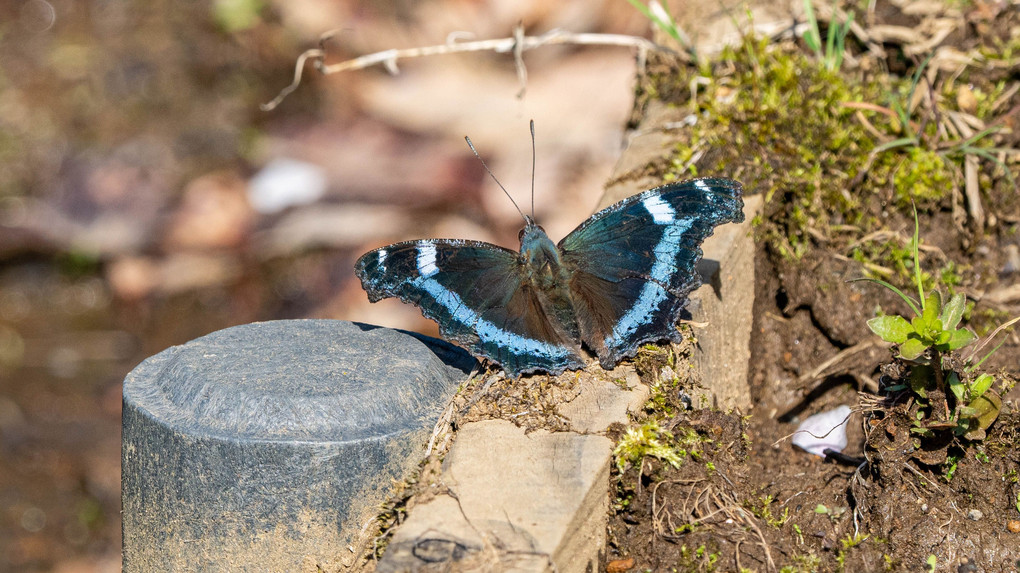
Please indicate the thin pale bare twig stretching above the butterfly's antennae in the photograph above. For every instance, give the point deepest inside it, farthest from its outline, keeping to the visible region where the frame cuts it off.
(516, 45)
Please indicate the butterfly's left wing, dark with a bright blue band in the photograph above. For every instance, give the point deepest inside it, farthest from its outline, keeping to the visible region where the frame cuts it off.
(478, 295)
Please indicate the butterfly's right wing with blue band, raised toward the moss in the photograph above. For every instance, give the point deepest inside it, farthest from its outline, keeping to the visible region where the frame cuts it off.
(633, 264)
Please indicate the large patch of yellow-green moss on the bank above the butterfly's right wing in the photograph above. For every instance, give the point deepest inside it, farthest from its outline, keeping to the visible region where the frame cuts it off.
(807, 138)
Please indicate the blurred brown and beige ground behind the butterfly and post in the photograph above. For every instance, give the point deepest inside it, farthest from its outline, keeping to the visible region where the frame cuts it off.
(146, 200)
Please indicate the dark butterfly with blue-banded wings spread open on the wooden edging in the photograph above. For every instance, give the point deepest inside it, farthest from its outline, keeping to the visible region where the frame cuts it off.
(618, 282)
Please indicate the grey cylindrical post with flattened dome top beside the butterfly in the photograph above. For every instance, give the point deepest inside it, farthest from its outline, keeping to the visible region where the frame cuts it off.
(267, 447)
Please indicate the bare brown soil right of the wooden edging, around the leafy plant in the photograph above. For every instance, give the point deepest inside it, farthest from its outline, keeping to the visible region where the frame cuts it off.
(750, 501)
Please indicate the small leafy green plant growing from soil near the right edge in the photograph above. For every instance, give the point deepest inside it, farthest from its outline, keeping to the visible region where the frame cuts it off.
(927, 343)
